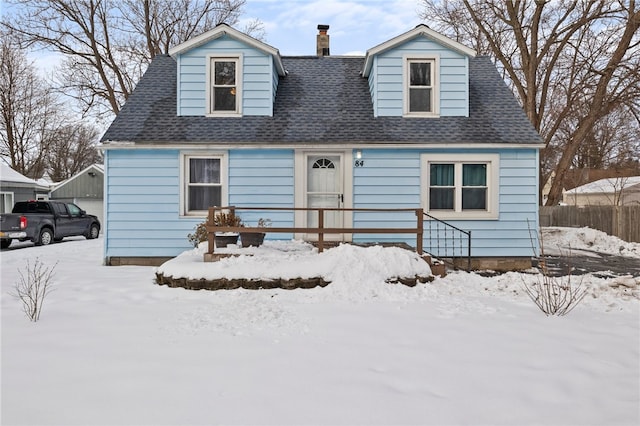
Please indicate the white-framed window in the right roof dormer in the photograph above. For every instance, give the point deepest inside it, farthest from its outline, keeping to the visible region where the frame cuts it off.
(421, 95)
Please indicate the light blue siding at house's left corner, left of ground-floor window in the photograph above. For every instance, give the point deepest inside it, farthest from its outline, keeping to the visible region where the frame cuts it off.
(142, 199)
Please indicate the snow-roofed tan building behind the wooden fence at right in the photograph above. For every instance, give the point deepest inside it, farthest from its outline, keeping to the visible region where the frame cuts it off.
(621, 191)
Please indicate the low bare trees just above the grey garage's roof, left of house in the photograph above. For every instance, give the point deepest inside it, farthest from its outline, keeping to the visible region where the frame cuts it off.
(74, 148)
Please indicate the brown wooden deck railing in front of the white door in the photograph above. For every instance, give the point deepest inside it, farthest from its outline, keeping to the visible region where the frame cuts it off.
(320, 230)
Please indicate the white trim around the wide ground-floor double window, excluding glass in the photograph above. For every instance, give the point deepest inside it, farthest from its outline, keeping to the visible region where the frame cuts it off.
(493, 185)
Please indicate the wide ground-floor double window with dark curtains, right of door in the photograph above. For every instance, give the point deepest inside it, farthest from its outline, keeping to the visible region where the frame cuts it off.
(461, 186)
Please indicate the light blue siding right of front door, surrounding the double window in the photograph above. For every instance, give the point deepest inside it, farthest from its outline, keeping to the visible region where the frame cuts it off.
(391, 178)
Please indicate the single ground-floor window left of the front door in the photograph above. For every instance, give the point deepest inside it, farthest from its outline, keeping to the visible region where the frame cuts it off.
(204, 178)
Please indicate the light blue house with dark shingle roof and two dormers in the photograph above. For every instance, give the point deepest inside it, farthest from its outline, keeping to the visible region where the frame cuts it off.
(419, 121)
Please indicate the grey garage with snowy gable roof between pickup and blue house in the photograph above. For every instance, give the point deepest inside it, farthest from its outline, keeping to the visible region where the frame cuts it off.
(85, 189)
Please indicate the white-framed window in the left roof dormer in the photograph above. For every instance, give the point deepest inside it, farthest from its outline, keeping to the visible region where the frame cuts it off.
(224, 86)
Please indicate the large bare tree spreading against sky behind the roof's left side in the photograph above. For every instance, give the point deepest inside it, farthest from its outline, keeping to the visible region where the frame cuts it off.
(109, 43)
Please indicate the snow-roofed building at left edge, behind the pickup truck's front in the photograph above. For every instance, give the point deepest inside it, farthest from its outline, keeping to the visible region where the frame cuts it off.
(16, 187)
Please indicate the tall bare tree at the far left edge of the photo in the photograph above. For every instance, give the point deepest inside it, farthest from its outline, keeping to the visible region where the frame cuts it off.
(28, 111)
